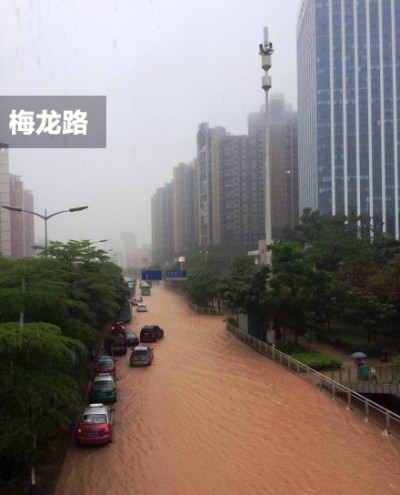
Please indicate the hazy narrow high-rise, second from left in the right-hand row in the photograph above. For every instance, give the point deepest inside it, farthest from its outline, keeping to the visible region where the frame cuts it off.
(185, 233)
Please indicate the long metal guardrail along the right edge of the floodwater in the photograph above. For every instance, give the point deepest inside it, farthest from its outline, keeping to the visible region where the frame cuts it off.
(374, 413)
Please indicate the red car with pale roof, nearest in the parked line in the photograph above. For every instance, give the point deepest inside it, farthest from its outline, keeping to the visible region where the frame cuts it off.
(95, 425)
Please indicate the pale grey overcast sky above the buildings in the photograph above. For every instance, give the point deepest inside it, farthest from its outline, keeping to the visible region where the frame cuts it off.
(165, 66)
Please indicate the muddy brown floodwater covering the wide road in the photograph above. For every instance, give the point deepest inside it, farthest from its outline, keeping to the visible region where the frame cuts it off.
(213, 417)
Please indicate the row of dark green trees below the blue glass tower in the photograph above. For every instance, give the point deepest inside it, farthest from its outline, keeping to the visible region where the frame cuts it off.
(334, 266)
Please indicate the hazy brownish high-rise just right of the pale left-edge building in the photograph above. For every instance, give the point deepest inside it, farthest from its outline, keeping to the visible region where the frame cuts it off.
(22, 224)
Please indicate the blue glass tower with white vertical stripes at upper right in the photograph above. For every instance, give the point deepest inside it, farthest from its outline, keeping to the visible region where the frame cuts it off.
(348, 55)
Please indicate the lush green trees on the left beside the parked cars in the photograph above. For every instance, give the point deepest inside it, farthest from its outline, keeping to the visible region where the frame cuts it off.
(52, 309)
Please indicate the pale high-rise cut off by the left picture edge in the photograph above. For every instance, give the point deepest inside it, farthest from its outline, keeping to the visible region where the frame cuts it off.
(5, 228)
